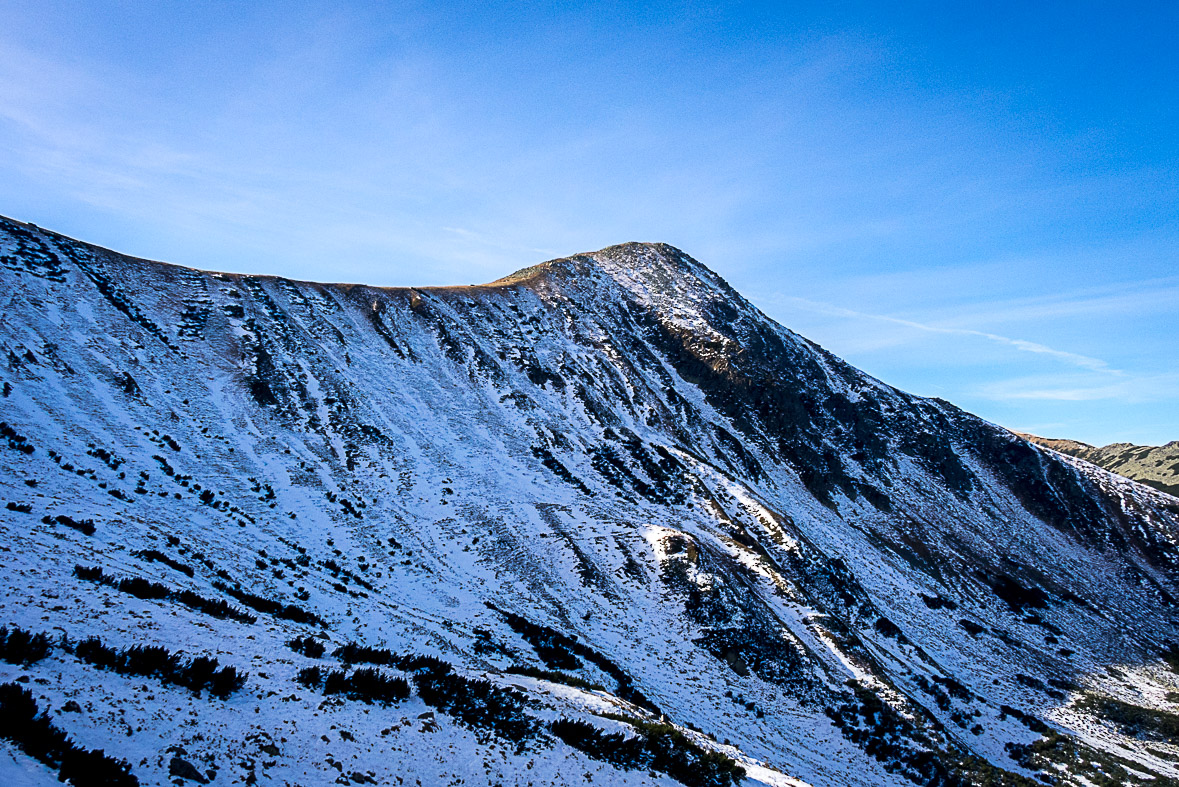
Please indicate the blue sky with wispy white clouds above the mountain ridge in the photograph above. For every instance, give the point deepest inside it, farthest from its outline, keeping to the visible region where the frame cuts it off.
(978, 202)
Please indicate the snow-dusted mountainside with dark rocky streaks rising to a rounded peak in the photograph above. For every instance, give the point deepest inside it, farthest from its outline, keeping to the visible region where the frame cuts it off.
(601, 520)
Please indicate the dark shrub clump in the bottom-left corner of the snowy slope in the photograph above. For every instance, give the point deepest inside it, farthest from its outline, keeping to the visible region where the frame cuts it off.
(34, 732)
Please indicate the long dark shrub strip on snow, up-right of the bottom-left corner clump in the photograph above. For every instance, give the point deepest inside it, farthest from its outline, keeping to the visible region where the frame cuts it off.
(152, 662)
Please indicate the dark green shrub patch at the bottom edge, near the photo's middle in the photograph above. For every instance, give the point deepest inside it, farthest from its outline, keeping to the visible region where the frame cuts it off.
(655, 748)
